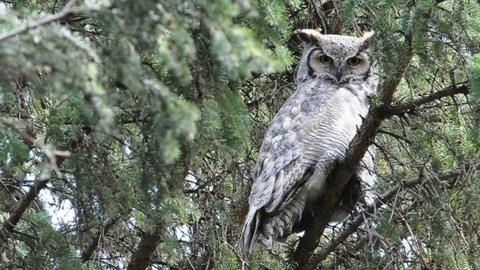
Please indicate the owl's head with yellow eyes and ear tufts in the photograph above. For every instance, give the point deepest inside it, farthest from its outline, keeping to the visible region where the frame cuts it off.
(335, 57)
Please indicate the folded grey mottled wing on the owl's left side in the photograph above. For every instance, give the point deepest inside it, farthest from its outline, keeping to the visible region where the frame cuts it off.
(280, 169)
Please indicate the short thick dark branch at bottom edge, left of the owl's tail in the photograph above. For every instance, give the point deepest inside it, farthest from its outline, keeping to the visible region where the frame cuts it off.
(147, 246)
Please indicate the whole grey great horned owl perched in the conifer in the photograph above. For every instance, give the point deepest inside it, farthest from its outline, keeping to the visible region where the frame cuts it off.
(309, 134)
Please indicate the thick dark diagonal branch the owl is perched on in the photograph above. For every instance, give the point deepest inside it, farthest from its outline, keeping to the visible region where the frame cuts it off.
(340, 176)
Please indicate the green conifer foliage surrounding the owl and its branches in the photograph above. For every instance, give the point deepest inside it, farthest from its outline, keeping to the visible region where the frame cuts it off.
(134, 125)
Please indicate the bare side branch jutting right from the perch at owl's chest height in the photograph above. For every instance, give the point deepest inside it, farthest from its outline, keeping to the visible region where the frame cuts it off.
(411, 106)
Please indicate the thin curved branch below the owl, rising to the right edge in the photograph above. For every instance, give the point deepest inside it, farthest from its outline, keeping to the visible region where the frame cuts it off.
(450, 177)
